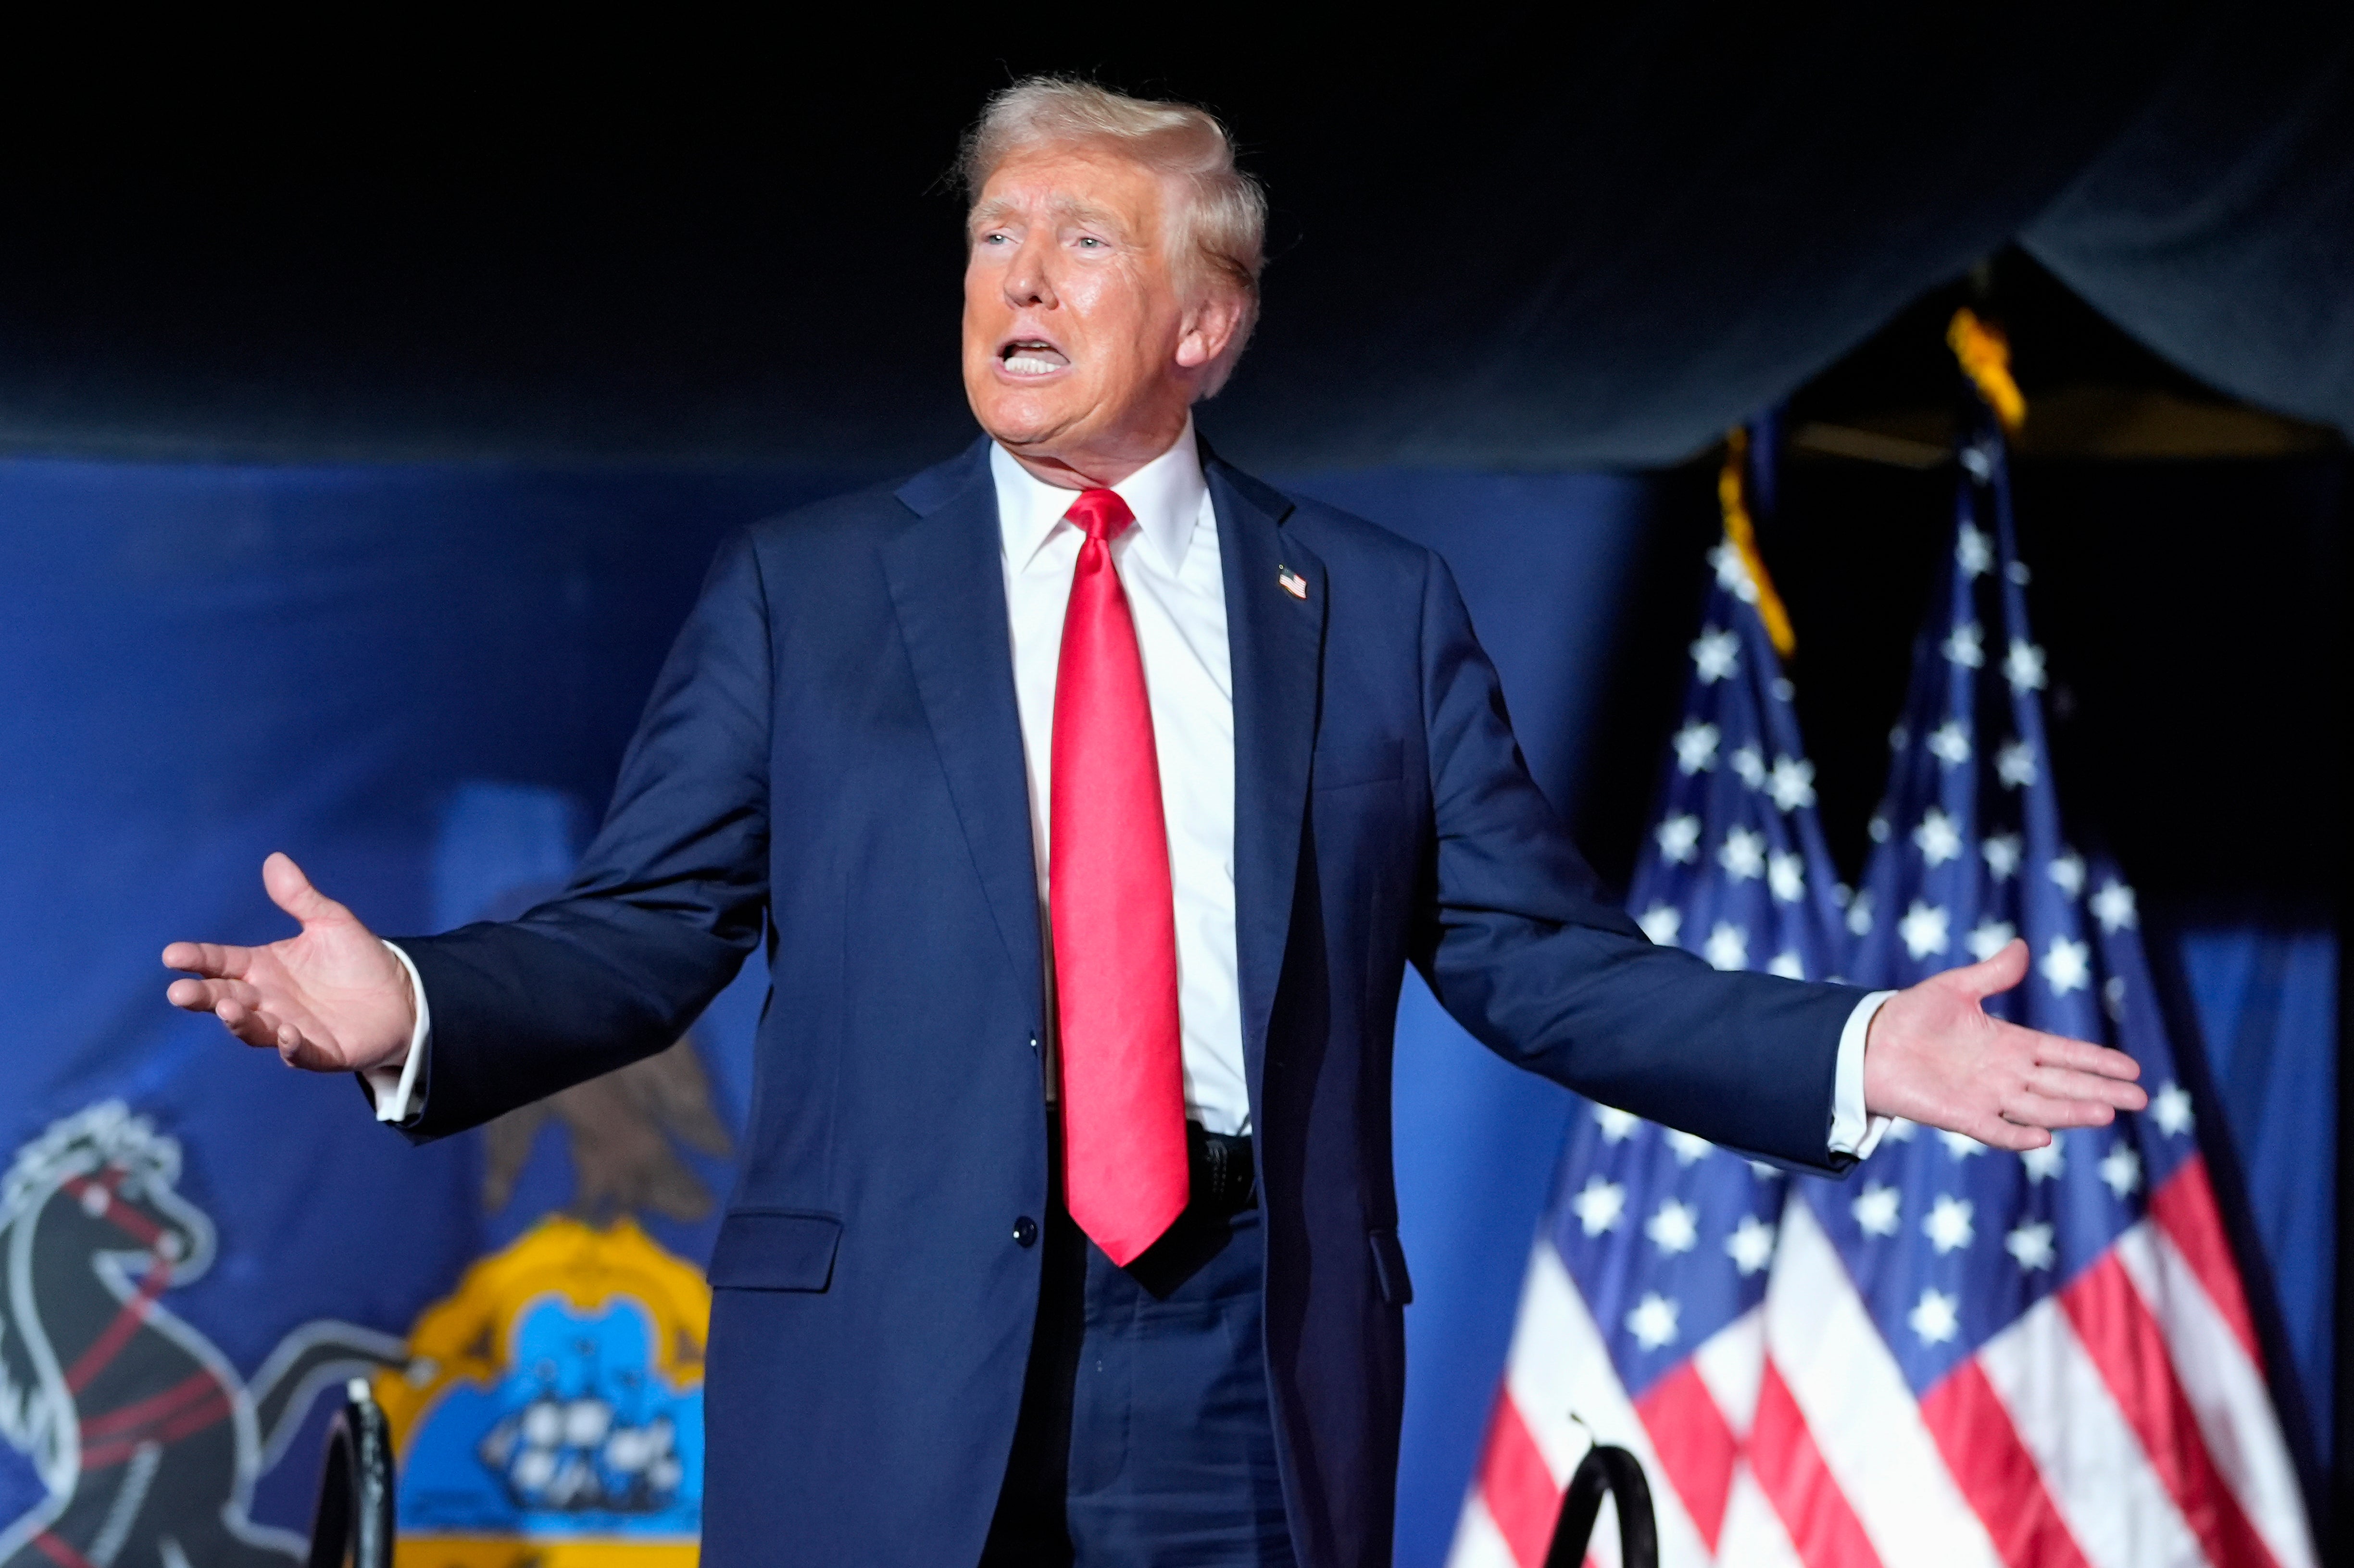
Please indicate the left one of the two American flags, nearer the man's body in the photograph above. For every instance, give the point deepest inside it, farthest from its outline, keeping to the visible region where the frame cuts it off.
(1642, 1317)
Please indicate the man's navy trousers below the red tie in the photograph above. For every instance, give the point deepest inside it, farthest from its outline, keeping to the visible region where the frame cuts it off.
(1145, 1437)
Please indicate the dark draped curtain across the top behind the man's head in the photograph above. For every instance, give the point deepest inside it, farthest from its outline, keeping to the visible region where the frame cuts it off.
(1581, 241)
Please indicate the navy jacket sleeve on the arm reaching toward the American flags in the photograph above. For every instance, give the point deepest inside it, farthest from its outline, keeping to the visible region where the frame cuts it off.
(1527, 950)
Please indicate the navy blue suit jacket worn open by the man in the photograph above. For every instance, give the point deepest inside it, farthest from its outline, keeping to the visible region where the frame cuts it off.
(832, 764)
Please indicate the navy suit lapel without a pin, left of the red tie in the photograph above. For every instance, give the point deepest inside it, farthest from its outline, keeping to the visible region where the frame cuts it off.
(947, 583)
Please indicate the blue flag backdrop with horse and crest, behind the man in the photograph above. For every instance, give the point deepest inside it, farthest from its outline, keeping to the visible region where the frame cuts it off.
(418, 679)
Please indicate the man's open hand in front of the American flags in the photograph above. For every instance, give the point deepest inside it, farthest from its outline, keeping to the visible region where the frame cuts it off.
(1934, 1056)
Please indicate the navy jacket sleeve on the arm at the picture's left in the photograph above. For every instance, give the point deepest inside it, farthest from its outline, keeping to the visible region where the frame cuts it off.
(663, 910)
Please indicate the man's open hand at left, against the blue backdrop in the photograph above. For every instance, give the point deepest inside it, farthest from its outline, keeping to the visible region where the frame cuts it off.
(331, 999)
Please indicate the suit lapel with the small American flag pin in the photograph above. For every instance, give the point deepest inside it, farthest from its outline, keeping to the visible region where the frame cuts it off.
(1277, 651)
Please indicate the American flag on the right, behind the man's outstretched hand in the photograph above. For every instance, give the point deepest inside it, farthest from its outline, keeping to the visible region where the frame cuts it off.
(2016, 1357)
